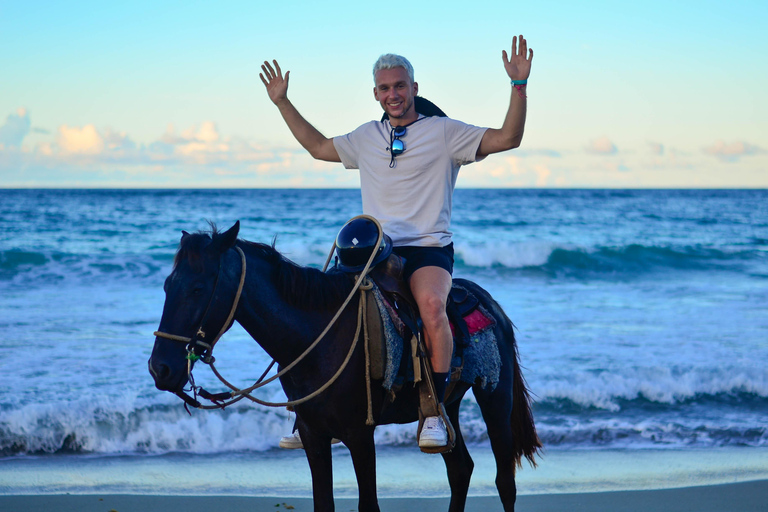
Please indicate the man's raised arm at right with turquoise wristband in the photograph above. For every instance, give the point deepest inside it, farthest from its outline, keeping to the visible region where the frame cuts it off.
(510, 135)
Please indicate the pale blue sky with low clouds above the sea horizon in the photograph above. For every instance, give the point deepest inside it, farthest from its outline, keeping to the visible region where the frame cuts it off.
(654, 94)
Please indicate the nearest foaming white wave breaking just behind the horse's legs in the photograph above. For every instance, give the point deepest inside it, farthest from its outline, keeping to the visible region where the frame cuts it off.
(640, 409)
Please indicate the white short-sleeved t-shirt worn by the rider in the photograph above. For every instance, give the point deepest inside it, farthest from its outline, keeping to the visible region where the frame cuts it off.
(413, 199)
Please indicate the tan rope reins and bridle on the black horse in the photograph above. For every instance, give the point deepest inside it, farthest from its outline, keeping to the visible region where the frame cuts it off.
(222, 400)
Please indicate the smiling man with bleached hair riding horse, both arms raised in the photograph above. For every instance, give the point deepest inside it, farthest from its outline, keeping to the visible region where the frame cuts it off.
(408, 167)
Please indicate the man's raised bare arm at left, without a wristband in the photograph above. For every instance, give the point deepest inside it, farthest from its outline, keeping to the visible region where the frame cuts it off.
(318, 145)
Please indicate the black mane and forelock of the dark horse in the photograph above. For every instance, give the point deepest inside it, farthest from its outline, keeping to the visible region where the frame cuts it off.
(302, 287)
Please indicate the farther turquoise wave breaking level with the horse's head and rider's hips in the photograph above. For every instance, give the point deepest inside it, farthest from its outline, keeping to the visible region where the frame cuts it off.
(550, 259)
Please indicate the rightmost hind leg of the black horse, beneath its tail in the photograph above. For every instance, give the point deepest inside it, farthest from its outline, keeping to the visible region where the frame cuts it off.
(496, 407)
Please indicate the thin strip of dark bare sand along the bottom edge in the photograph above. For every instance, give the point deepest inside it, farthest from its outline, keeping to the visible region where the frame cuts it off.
(739, 497)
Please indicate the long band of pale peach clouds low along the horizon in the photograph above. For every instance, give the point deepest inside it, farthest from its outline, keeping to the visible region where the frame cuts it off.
(202, 155)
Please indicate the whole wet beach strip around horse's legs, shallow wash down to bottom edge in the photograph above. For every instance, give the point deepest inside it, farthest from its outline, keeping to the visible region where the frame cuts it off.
(732, 480)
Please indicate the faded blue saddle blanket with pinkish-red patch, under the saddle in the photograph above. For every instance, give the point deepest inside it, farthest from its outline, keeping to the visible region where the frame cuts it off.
(481, 359)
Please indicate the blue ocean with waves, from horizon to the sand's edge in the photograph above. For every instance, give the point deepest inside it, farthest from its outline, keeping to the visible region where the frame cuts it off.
(642, 320)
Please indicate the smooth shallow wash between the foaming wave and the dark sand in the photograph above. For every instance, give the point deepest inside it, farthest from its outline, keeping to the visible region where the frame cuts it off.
(401, 473)
